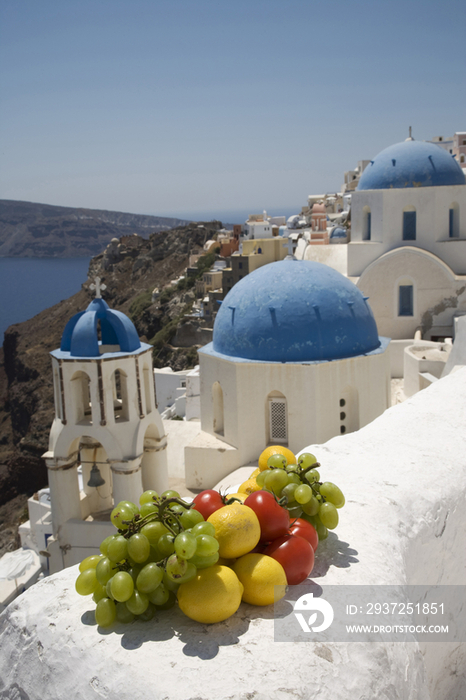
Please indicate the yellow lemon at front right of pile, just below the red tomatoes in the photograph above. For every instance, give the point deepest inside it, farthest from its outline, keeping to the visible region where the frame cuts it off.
(263, 578)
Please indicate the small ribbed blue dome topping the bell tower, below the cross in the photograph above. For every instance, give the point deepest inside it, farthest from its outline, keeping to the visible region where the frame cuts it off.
(80, 337)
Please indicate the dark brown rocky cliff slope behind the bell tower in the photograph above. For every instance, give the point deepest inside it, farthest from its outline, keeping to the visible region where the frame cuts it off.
(130, 271)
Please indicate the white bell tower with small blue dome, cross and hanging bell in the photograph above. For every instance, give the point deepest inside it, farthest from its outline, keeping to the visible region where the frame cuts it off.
(107, 441)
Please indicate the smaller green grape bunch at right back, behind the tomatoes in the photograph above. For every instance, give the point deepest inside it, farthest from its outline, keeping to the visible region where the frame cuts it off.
(300, 490)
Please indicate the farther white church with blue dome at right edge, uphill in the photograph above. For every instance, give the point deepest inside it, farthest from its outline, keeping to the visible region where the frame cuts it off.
(408, 240)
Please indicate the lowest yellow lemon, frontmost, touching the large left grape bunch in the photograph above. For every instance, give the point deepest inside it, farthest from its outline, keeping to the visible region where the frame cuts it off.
(212, 595)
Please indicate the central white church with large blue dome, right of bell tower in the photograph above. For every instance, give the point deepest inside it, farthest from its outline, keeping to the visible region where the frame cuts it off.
(295, 359)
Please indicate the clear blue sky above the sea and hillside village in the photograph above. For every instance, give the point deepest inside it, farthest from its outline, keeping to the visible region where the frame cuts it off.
(183, 107)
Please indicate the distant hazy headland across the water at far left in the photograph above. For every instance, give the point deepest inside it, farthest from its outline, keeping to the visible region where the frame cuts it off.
(45, 231)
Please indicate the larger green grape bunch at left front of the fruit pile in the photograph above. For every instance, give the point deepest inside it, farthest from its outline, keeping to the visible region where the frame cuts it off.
(160, 544)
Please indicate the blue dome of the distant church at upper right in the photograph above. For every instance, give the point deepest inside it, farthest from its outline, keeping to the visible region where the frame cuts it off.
(411, 164)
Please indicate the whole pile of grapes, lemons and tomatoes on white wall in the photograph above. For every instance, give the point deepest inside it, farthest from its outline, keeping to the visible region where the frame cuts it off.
(214, 552)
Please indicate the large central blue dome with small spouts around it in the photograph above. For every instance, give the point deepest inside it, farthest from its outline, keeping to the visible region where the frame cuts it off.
(294, 311)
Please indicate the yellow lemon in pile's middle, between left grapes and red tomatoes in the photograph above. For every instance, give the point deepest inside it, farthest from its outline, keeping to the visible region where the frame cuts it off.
(237, 530)
